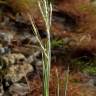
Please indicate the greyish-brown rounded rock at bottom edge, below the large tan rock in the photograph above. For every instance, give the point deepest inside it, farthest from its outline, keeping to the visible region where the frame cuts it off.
(19, 89)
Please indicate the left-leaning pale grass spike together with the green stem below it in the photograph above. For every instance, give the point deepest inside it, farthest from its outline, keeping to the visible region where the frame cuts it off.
(46, 60)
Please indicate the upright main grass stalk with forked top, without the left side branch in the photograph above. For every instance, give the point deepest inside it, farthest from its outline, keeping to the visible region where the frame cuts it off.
(45, 10)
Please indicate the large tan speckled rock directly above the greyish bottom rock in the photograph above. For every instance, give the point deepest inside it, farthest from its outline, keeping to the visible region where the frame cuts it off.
(17, 72)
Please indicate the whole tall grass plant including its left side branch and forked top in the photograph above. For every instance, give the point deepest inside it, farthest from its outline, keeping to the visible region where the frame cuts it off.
(46, 10)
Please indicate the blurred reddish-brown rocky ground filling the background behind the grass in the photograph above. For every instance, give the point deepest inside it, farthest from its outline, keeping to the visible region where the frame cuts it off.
(73, 44)
